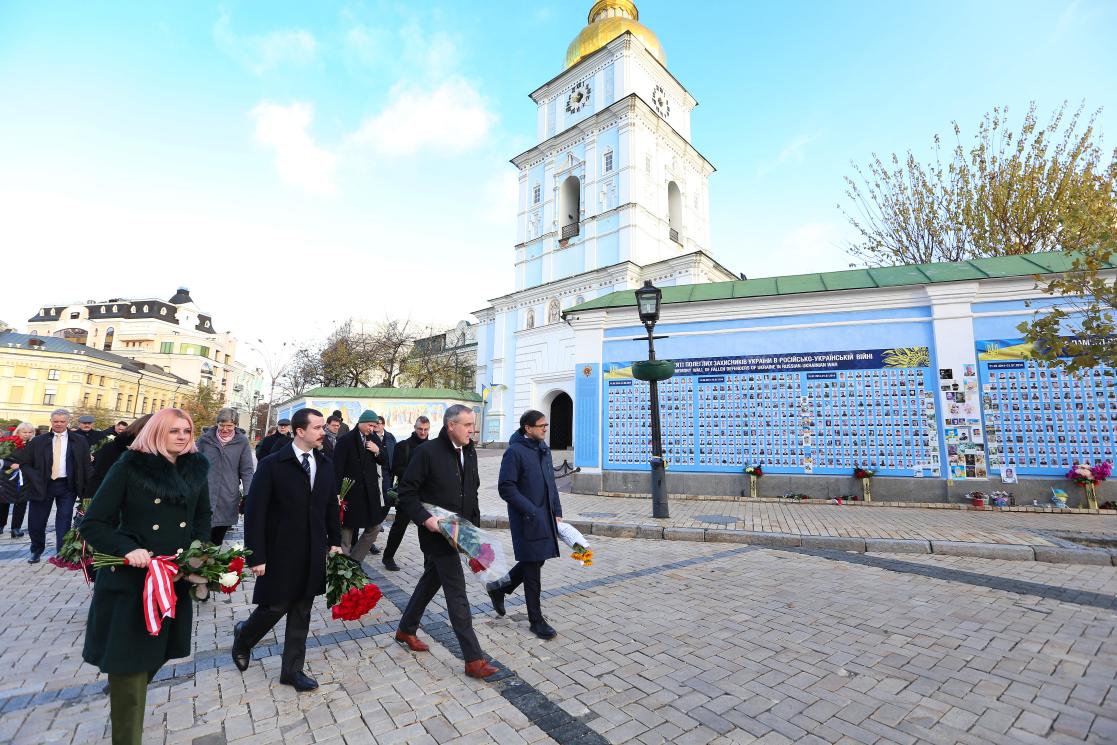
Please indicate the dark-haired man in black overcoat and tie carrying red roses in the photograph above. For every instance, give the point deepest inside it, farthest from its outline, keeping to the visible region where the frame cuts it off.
(291, 527)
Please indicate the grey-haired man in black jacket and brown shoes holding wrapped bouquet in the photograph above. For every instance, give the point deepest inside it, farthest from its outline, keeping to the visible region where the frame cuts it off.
(444, 473)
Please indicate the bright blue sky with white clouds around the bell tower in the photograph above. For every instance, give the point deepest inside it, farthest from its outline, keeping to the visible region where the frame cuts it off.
(299, 164)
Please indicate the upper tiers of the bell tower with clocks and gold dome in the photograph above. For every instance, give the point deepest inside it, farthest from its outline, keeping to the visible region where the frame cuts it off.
(614, 177)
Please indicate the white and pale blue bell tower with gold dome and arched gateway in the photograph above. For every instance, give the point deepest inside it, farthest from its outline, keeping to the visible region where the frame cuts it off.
(614, 194)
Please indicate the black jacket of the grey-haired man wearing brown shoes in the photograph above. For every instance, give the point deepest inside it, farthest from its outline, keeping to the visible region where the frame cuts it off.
(437, 477)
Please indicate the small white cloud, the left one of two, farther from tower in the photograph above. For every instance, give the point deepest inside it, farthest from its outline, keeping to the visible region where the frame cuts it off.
(300, 161)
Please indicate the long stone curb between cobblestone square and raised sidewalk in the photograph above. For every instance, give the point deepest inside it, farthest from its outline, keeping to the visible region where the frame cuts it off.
(998, 551)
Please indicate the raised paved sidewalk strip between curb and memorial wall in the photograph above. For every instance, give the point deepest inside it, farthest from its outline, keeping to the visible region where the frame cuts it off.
(1030, 529)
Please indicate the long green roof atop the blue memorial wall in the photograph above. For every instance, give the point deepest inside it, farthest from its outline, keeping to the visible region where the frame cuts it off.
(868, 279)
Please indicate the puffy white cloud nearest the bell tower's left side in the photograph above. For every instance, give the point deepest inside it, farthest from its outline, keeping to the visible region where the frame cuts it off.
(451, 118)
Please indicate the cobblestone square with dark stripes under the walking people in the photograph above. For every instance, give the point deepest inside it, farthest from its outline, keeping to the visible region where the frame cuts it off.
(660, 643)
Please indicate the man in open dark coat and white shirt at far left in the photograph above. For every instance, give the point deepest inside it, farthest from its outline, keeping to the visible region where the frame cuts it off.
(56, 469)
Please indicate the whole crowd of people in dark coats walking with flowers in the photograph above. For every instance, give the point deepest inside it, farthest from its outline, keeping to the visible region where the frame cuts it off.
(157, 485)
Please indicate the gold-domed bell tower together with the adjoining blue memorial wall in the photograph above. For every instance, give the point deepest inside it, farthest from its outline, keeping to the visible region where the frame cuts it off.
(919, 374)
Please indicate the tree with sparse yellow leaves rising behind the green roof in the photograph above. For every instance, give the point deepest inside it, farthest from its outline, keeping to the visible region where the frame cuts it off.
(1037, 189)
